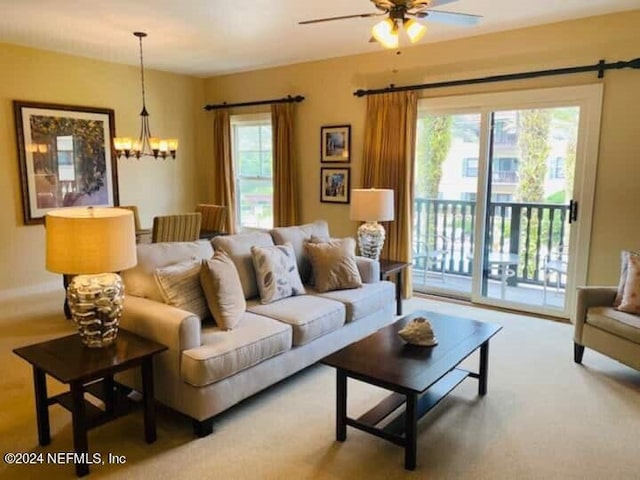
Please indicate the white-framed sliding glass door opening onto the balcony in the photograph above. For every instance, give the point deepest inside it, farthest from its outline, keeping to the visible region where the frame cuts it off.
(498, 182)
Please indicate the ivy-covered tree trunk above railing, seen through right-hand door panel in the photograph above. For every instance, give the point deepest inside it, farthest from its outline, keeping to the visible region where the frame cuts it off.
(533, 134)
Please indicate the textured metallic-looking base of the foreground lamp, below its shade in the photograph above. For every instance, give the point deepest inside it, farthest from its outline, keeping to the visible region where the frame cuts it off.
(96, 303)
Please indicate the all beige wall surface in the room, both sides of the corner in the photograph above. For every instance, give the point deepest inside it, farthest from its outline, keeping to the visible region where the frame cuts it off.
(175, 103)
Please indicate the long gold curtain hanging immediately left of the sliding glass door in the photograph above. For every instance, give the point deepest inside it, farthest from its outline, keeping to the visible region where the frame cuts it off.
(388, 162)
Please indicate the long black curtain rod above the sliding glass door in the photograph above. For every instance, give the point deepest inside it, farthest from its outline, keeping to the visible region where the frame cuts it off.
(600, 67)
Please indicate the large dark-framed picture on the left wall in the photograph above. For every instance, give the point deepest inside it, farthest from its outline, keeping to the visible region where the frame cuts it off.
(66, 157)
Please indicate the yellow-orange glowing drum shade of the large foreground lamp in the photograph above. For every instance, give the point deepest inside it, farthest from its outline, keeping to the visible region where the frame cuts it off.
(90, 240)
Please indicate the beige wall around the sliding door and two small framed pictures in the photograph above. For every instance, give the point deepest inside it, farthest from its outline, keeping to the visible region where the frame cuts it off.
(329, 86)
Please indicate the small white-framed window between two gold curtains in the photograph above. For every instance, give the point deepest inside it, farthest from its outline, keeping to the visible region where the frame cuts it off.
(253, 161)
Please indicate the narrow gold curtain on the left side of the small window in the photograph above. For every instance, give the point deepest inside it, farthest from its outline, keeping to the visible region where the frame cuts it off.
(225, 190)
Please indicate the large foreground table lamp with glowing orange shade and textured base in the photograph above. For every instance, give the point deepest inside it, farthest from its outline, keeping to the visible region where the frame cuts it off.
(92, 243)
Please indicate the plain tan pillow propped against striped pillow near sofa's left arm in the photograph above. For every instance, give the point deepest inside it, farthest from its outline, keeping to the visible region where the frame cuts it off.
(223, 290)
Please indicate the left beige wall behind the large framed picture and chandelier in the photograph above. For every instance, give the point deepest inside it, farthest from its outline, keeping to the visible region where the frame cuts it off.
(156, 186)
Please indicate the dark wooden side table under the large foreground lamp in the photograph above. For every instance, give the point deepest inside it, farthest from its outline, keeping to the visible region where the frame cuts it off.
(91, 370)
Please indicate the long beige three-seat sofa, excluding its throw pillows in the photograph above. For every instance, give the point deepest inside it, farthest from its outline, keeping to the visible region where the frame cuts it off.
(208, 369)
